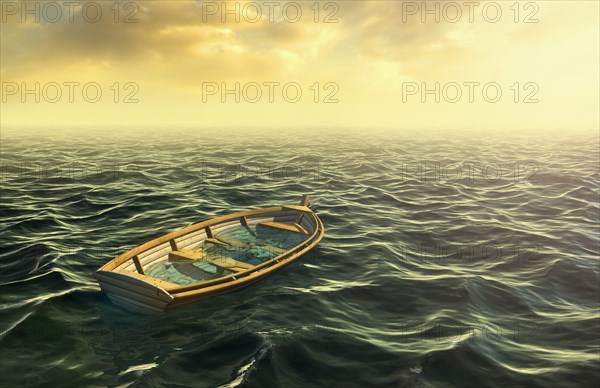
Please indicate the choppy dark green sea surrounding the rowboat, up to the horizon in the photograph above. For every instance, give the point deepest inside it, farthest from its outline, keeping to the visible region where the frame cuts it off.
(447, 260)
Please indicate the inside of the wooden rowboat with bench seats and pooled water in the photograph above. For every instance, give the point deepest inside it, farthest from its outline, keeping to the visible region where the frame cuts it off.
(231, 246)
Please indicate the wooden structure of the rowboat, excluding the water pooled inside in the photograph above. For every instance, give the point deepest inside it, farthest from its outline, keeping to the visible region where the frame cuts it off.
(125, 281)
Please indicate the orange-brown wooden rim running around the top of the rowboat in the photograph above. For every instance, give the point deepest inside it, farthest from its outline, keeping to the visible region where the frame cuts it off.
(174, 289)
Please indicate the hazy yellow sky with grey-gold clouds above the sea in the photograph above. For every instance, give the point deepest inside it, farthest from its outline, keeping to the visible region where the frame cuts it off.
(487, 66)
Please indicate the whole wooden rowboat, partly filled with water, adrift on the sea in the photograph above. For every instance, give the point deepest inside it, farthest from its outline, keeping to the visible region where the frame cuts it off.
(210, 258)
